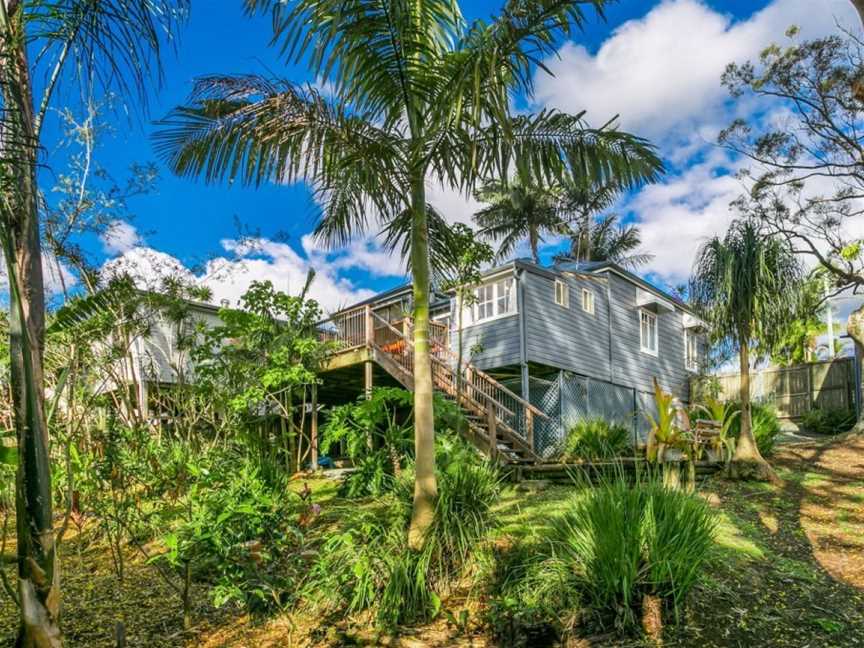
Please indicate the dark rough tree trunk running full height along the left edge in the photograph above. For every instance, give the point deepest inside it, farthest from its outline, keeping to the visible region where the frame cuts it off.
(38, 584)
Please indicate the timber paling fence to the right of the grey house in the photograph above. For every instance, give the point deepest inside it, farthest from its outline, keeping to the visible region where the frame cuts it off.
(798, 389)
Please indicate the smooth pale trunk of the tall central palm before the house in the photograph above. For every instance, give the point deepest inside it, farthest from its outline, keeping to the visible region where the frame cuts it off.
(425, 486)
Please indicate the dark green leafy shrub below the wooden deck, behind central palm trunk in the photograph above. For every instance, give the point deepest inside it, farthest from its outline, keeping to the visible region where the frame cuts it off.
(377, 434)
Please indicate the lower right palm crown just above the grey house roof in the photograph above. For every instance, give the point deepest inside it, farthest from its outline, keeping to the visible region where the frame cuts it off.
(607, 240)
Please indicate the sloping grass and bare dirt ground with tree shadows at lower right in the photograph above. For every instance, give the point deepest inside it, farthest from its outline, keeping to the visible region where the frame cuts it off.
(793, 574)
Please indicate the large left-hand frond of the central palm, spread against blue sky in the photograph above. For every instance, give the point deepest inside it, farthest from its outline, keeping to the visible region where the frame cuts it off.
(251, 129)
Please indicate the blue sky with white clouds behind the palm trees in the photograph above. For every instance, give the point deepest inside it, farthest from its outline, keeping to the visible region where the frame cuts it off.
(656, 64)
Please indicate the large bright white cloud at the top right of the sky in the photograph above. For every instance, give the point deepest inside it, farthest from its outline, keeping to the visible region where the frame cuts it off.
(661, 73)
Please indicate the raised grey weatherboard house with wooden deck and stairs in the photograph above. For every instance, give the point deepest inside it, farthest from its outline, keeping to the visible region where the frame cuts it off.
(542, 347)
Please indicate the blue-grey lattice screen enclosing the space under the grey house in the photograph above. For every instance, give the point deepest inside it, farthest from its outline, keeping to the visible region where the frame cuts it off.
(567, 398)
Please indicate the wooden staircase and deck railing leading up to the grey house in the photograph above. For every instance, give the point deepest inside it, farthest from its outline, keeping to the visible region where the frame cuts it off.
(499, 422)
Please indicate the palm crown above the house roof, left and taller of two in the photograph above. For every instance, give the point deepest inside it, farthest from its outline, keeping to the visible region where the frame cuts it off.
(517, 210)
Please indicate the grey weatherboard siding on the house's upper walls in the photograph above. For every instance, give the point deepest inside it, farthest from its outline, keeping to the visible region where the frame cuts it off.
(579, 342)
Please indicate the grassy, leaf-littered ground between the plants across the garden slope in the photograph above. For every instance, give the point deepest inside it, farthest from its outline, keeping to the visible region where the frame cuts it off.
(788, 571)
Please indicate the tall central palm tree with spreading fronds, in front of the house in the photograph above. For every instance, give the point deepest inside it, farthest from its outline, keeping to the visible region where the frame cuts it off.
(418, 96)
